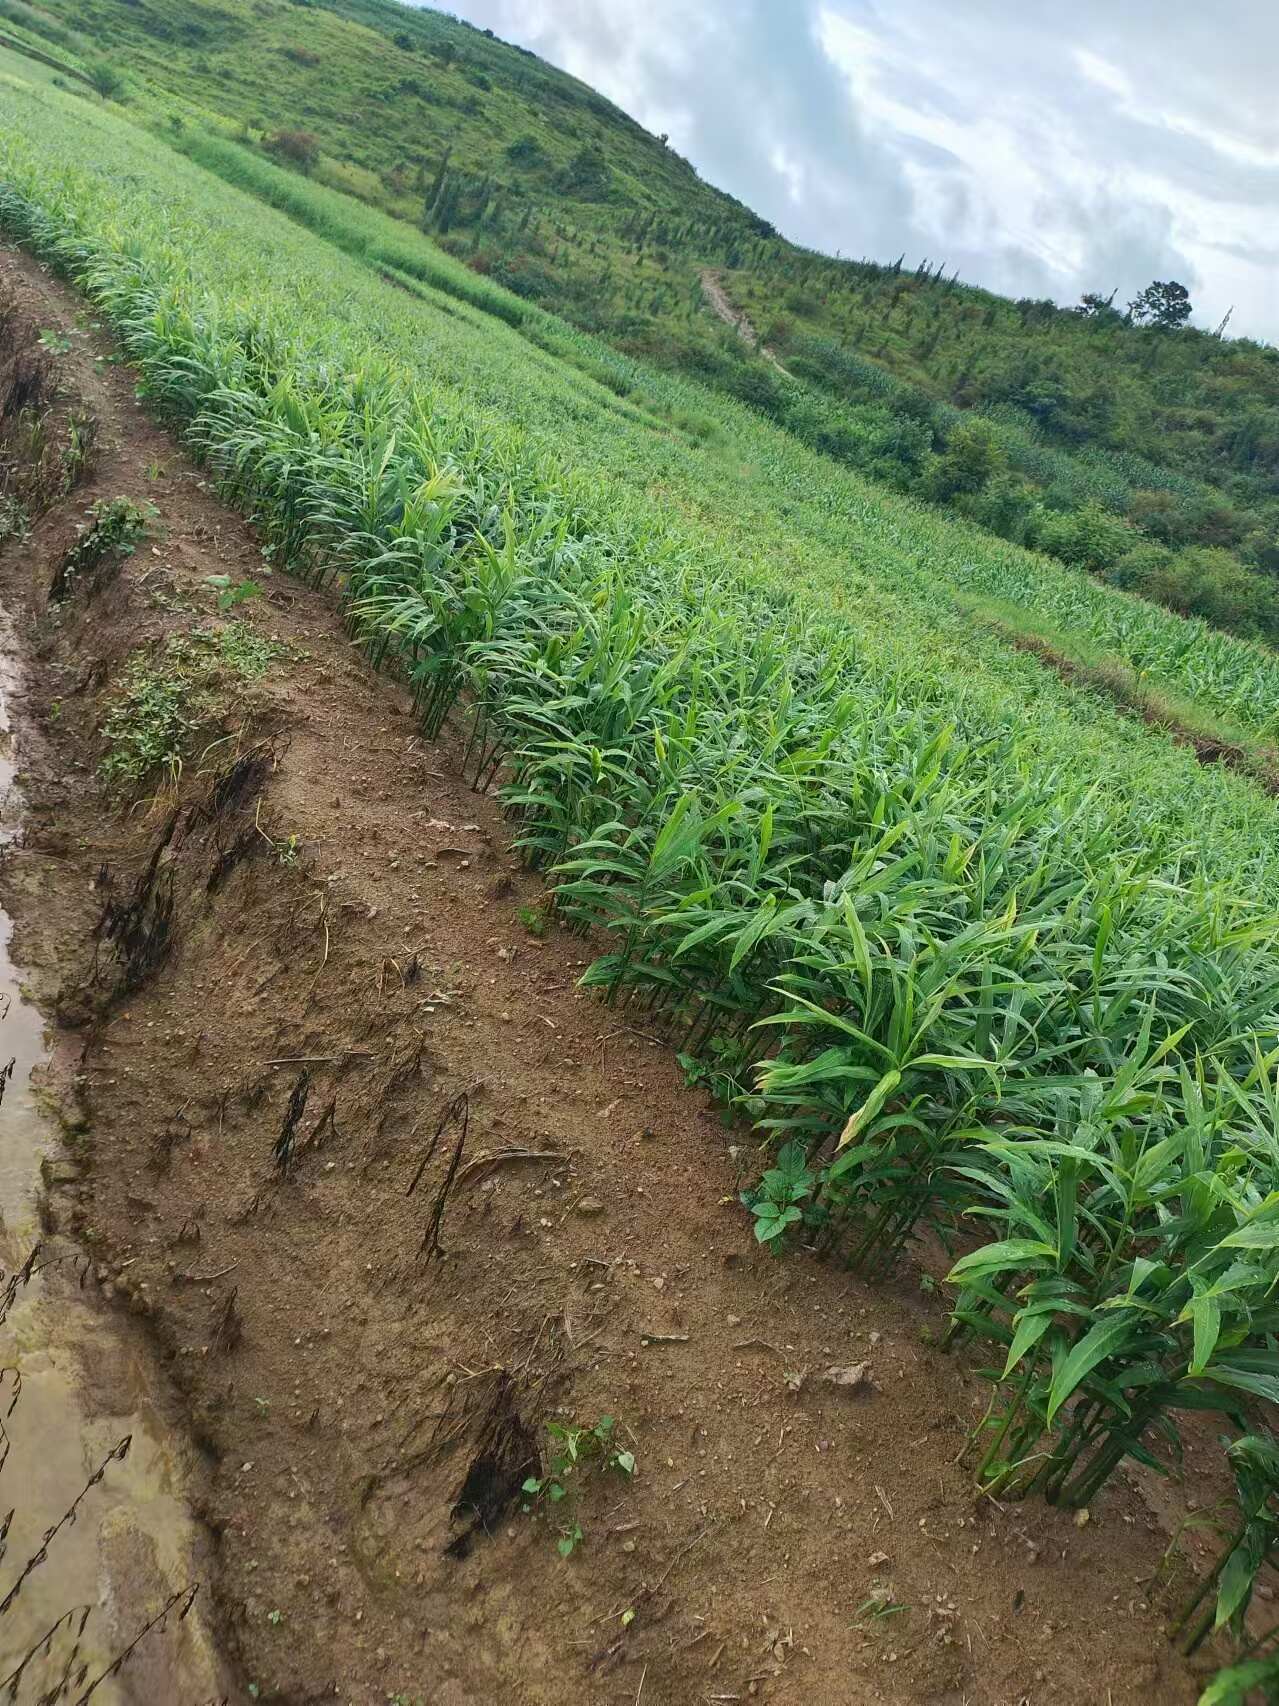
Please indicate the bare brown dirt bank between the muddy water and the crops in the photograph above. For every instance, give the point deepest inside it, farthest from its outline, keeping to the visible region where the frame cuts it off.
(342, 1384)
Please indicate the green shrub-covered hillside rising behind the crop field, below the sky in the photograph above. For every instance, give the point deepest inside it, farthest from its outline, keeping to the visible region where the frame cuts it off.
(1142, 453)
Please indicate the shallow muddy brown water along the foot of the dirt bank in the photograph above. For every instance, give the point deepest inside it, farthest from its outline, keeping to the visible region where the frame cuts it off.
(79, 1386)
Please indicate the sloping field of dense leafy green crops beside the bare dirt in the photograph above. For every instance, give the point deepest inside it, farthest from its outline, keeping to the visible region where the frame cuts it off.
(976, 955)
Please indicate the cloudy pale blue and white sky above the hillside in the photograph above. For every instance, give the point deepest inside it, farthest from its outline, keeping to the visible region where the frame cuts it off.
(1043, 149)
